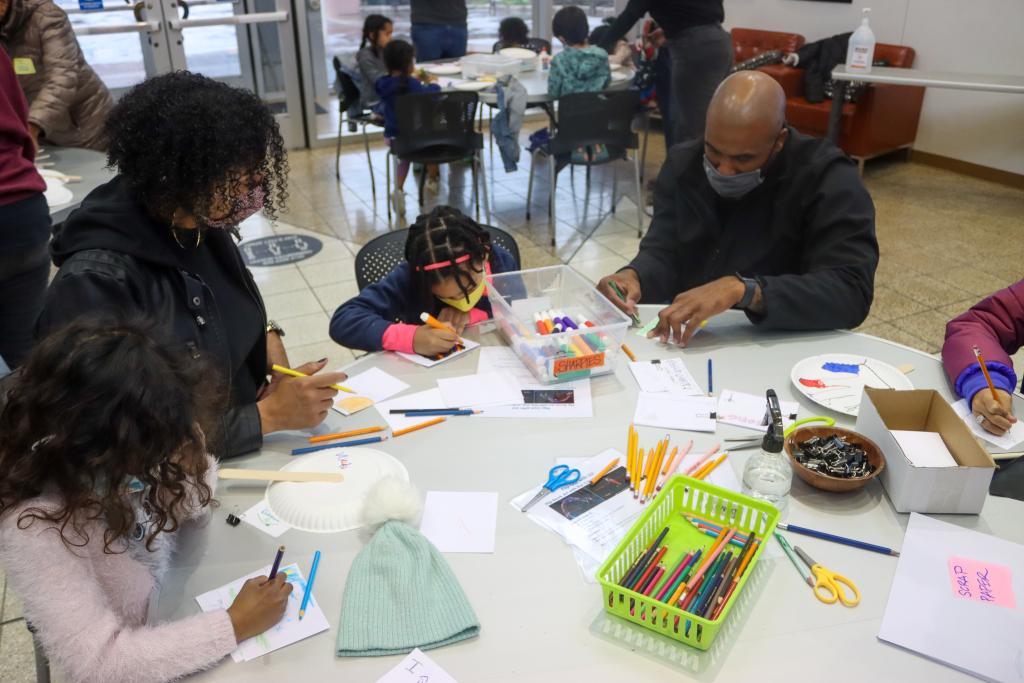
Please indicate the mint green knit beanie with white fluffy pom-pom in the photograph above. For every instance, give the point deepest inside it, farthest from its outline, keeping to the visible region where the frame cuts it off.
(401, 593)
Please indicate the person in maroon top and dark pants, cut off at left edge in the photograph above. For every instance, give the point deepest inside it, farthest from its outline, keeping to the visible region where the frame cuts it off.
(25, 224)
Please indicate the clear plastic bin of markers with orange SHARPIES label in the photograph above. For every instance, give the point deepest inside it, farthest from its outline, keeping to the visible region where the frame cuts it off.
(518, 298)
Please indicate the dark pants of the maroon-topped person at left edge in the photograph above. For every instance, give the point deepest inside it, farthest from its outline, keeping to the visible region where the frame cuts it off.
(25, 269)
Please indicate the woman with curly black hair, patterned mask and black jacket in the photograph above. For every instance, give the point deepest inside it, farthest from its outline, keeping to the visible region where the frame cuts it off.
(195, 158)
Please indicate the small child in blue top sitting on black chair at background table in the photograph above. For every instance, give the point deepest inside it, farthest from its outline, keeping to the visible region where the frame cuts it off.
(400, 60)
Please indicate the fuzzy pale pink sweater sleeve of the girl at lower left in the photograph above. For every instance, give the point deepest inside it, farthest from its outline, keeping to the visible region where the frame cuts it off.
(86, 638)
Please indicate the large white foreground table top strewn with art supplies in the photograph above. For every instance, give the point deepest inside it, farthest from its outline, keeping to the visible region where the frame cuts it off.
(541, 622)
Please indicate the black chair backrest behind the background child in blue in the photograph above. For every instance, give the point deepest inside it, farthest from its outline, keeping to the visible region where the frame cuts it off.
(437, 119)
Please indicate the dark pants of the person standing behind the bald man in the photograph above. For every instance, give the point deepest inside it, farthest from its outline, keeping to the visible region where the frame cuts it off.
(702, 57)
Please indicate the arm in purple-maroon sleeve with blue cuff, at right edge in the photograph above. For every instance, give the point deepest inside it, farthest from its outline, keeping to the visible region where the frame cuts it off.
(996, 326)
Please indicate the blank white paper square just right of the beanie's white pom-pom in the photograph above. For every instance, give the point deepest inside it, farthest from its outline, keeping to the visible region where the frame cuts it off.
(460, 522)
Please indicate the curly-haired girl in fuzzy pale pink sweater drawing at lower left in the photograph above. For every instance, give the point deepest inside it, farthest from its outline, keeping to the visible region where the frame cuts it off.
(104, 458)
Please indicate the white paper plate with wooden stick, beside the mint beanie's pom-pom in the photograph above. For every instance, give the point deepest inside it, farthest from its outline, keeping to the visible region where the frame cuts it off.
(329, 508)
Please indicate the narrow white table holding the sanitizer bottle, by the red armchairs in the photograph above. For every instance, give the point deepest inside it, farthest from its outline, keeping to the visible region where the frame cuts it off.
(929, 79)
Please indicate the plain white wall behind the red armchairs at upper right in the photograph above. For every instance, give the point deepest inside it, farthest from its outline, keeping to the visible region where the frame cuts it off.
(985, 36)
